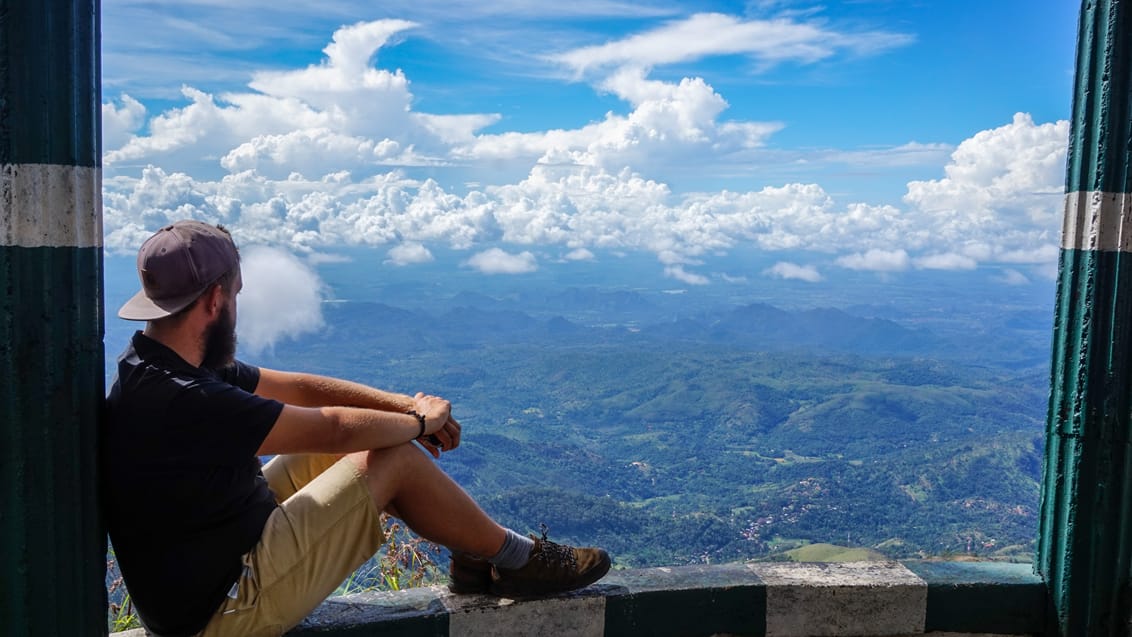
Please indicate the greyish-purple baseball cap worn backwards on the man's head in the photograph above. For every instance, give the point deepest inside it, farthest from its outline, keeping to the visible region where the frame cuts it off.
(176, 268)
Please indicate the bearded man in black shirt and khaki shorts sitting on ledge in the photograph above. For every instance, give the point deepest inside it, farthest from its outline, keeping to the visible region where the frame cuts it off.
(211, 543)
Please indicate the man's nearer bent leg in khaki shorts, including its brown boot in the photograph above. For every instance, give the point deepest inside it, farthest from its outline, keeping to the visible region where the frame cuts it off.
(332, 526)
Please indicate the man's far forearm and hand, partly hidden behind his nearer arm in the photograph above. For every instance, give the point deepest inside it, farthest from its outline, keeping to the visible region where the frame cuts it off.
(313, 391)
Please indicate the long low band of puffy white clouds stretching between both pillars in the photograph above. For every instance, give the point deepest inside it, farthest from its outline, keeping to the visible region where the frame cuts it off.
(588, 208)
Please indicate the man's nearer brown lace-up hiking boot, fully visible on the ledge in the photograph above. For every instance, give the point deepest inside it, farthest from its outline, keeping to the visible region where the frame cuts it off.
(553, 569)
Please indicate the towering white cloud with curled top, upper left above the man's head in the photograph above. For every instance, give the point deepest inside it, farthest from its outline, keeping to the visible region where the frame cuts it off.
(339, 114)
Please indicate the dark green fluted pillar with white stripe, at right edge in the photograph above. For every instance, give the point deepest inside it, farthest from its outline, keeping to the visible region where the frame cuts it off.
(1085, 547)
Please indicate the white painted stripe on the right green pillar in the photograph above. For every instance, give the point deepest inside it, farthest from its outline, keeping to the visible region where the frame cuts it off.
(1099, 221)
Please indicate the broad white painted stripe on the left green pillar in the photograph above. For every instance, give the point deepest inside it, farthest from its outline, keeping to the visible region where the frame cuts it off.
(50, 206)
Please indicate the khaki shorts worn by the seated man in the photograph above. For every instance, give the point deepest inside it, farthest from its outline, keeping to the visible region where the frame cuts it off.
(325, 528)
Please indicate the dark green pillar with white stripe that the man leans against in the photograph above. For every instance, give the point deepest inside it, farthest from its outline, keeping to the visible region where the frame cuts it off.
(53, 544)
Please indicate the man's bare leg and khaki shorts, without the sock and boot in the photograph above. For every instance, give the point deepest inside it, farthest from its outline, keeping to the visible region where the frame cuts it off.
(331, 526)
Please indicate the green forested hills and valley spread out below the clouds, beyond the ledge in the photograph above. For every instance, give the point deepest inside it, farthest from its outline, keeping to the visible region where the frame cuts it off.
(675, 451)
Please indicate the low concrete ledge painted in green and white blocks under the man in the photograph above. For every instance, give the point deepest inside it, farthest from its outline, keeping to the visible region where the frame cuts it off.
(758, 599)
